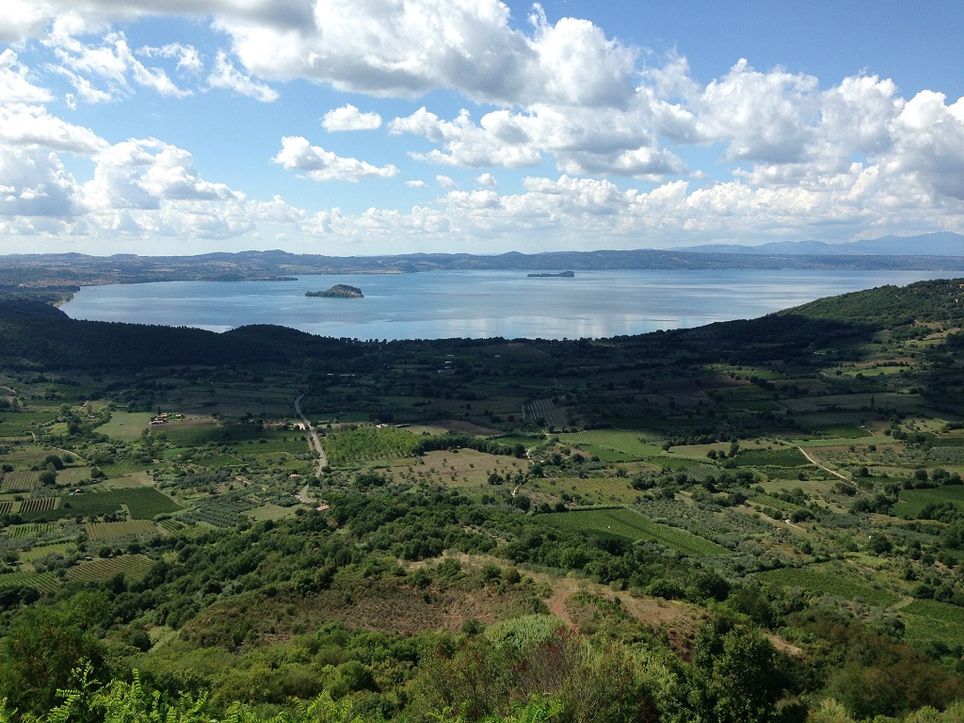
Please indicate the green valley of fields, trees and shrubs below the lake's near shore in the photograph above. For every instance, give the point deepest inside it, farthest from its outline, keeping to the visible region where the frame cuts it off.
(748, 521)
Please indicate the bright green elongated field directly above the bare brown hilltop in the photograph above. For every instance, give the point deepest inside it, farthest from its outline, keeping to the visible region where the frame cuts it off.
(622, 522)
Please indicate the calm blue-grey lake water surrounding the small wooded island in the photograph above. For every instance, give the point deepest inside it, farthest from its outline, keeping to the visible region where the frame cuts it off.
(478, 304)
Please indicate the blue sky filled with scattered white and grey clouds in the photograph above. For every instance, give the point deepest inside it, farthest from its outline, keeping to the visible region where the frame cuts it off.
(362, 127)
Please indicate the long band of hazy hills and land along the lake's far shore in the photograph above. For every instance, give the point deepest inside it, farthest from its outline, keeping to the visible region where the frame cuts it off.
(931, 252)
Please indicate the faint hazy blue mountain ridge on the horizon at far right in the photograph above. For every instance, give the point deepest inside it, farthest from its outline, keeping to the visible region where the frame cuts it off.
(941, 243)
